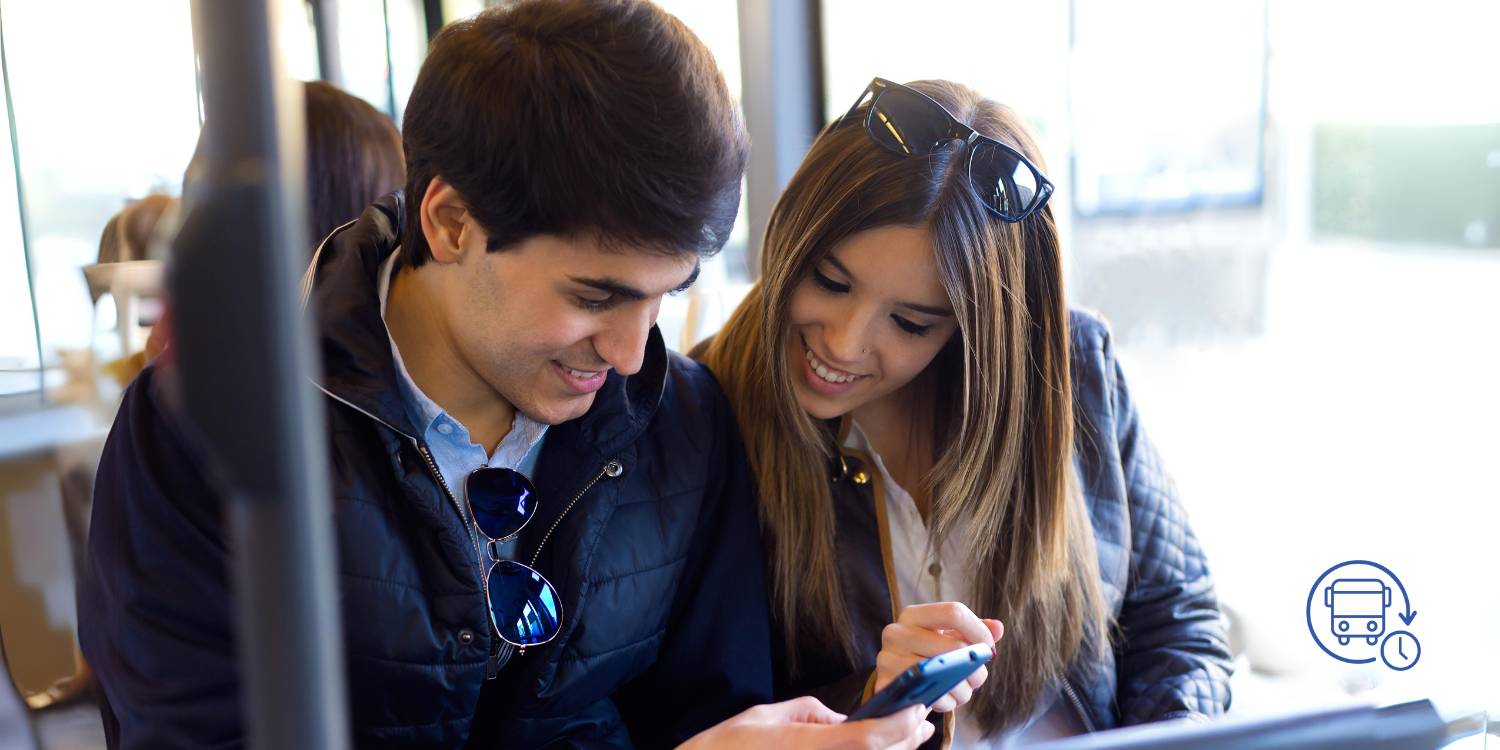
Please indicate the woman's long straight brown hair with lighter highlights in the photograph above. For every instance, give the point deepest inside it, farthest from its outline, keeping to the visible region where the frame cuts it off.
(1003, 484)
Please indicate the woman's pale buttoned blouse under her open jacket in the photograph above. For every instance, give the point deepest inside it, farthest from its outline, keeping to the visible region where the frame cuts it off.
(926, 575)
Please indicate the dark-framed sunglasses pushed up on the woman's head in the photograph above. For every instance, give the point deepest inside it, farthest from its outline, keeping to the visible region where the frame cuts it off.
(911, 124)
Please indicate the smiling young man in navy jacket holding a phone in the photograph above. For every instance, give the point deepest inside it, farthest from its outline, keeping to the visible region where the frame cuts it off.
(569, 163)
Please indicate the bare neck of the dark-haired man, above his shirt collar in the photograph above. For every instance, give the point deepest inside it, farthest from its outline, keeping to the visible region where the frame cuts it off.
(436, 365)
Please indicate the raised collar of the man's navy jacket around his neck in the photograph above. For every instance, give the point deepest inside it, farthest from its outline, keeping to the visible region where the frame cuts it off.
(358, 365)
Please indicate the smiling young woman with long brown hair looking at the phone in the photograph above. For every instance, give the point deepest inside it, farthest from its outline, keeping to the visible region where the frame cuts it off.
(938, 439)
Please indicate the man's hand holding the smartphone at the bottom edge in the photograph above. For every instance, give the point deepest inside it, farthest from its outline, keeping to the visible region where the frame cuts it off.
(809, 725)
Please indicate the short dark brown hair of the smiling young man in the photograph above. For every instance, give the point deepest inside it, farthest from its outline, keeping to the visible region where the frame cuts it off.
(577, 116)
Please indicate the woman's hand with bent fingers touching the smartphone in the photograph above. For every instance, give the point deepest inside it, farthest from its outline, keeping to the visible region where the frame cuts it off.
(926, 631)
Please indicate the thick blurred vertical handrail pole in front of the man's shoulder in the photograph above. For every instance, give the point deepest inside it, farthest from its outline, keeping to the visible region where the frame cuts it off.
(244, 362)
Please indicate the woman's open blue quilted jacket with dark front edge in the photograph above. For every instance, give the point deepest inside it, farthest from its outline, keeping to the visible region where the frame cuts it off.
(1171, 656)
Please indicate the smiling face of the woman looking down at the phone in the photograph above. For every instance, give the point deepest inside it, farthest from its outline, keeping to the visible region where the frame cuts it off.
(868, 320)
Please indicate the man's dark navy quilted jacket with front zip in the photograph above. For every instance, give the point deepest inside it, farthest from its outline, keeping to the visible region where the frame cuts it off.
(659, 565)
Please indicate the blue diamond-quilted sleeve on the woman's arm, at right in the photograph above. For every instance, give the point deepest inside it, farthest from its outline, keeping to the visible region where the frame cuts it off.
(1174, 644)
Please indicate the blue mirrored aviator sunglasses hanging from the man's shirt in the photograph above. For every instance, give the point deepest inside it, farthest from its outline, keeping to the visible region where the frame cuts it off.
(524, 608)
